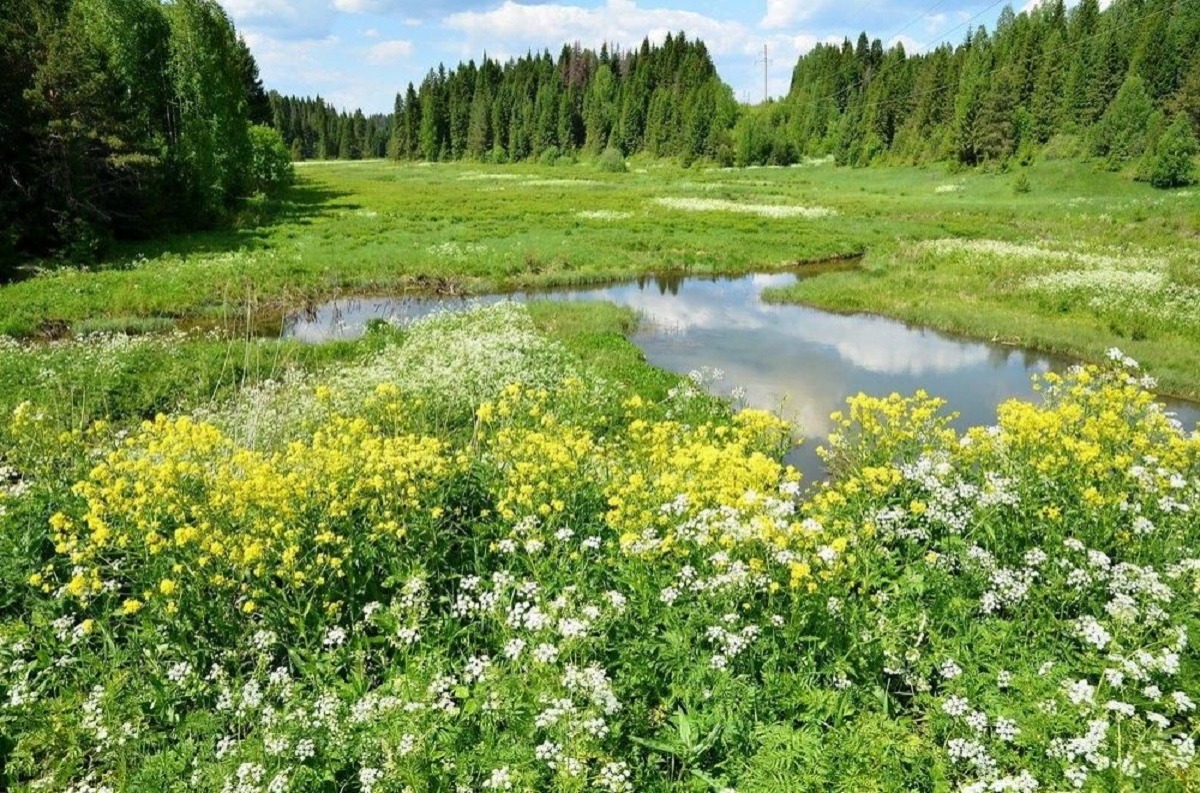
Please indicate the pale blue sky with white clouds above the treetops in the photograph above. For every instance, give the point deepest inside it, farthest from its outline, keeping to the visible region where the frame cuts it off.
(361, 53)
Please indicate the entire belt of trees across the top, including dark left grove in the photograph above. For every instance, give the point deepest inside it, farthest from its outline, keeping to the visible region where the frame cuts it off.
(130, 118)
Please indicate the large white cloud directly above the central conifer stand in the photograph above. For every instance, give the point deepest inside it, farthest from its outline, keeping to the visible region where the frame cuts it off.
(517, 26)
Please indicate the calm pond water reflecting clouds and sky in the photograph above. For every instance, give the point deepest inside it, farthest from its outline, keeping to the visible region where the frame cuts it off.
(802, 362)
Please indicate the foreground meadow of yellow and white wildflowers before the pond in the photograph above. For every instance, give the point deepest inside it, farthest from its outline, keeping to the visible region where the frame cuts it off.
(470, 563)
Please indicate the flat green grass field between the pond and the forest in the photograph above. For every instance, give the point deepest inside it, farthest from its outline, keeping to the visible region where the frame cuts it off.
(377, 227)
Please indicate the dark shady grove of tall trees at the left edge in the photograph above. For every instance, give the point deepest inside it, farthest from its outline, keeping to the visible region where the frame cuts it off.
(122, 119)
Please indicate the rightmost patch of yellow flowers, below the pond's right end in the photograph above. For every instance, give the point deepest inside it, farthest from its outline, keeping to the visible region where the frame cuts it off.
(1093, 446)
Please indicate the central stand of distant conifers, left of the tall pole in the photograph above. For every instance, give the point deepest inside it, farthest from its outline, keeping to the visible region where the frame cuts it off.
(665, 100)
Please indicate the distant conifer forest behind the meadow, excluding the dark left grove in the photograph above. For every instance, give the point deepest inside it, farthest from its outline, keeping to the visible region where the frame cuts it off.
(1083, 82)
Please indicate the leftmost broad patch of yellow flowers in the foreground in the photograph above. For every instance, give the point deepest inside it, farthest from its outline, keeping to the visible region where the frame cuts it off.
(181, 510)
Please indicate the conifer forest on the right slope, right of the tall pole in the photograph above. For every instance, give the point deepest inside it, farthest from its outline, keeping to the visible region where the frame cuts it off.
(1108, 83)
